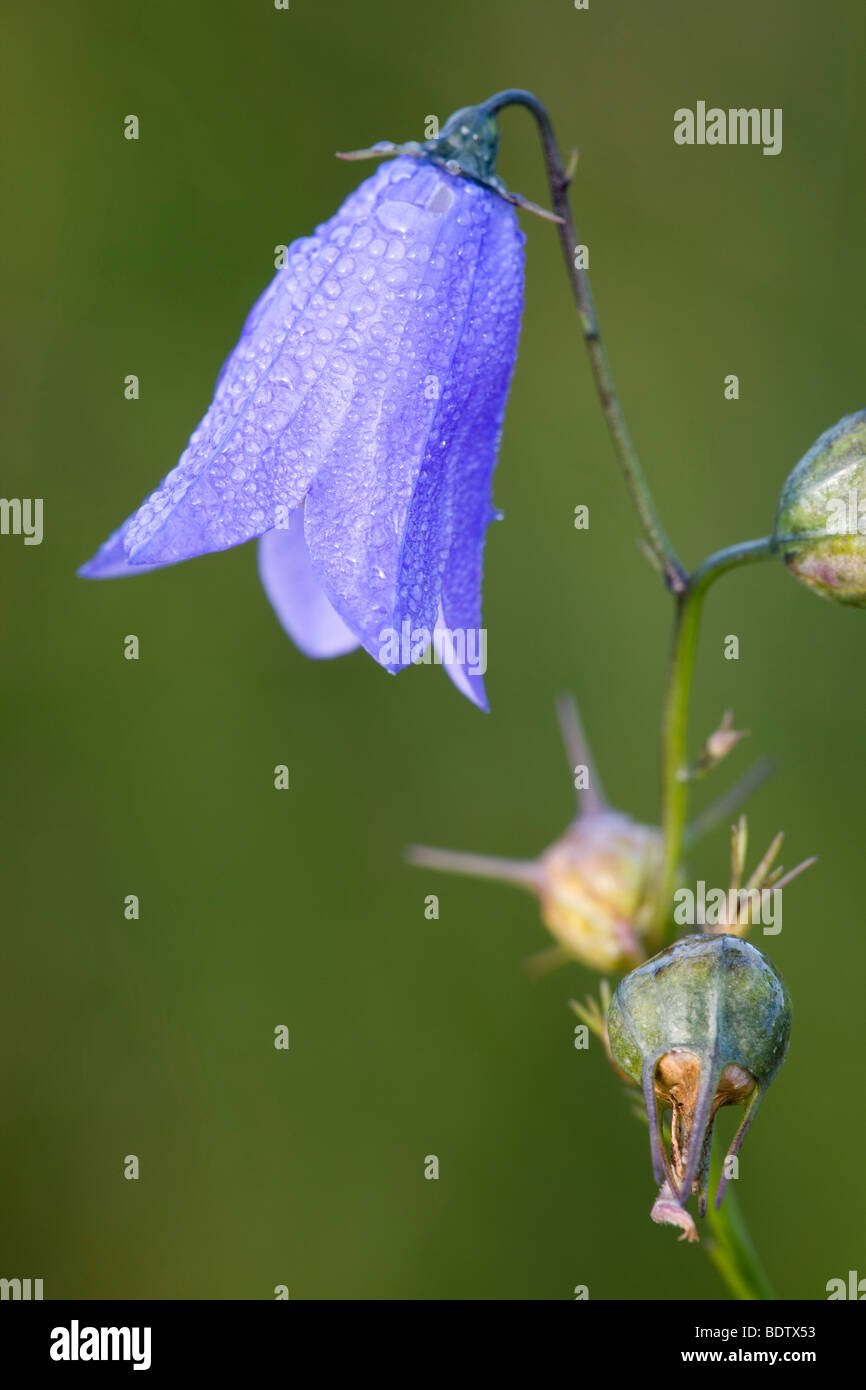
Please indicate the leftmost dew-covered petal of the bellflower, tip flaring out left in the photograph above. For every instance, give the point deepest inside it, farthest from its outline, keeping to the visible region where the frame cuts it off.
(280, 400)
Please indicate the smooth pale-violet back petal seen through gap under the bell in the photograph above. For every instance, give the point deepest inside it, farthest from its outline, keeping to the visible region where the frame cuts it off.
(298, 598)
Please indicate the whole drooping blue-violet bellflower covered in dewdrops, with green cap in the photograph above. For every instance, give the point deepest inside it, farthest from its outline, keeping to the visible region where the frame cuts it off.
(357, 425)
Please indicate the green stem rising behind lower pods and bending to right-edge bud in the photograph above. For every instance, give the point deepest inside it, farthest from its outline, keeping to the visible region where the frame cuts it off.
(675, 719)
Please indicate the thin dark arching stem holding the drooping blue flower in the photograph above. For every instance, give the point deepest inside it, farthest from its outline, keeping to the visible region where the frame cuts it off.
(636, 482)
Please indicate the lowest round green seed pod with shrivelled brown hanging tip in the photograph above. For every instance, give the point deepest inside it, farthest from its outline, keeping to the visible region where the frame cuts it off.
(705, 1024)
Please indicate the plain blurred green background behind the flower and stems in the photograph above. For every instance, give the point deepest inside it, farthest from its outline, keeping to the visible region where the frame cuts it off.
(155, 778)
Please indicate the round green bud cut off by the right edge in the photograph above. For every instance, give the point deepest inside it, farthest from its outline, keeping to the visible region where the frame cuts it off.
(819, 533)
